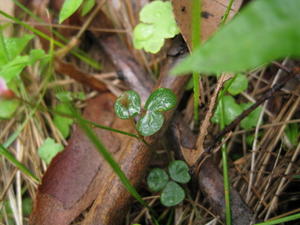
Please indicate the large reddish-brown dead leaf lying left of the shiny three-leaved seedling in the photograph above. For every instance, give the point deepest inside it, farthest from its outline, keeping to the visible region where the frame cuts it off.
(75, 176)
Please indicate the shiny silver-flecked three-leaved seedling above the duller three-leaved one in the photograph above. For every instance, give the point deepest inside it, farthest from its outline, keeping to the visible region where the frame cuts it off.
(128, 106)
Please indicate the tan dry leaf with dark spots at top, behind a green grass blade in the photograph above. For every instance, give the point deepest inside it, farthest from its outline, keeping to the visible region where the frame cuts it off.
(212, 12)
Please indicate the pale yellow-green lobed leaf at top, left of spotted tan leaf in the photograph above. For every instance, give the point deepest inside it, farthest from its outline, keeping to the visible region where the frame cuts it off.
(158, 24)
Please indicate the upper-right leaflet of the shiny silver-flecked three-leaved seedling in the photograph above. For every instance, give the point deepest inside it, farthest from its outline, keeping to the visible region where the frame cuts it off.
(161, 100)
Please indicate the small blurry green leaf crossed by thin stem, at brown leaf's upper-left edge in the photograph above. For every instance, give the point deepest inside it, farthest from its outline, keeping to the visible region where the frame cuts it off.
(63, 123)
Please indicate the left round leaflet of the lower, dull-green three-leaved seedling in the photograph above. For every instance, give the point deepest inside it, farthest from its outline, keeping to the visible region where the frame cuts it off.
(157, 179)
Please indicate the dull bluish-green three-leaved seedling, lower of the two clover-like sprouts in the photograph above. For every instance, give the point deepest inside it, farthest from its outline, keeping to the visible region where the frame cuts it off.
(171, 192)
